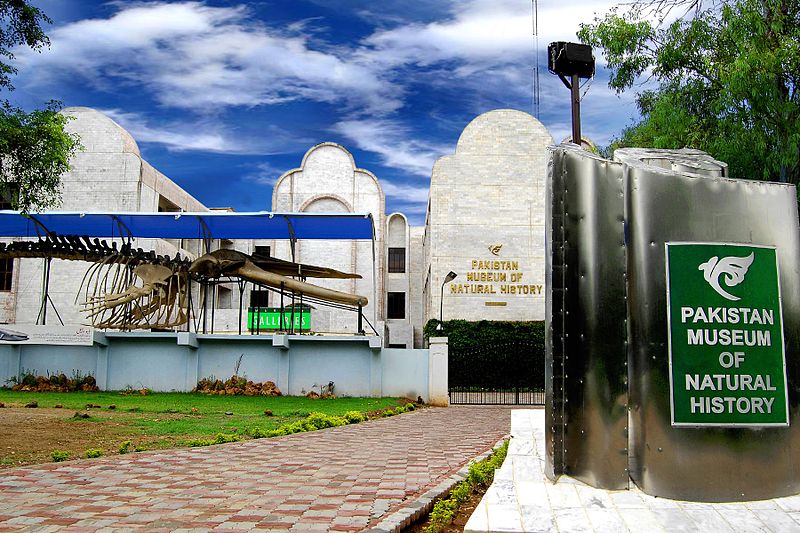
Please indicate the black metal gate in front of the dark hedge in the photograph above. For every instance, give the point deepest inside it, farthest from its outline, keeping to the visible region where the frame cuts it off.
(499, 374)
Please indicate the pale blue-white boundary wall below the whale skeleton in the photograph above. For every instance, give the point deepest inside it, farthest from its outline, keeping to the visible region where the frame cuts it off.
(357, 365)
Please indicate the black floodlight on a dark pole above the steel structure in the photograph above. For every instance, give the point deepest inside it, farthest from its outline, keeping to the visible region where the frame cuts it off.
(576, 61)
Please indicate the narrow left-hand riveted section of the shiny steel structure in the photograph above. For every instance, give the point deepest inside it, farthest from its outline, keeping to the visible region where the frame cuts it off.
(586, 405)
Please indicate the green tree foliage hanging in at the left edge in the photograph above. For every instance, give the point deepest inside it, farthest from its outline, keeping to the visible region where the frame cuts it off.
(35, 148)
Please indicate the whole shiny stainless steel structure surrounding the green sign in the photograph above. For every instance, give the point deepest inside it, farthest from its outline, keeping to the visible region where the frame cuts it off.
(608, 409)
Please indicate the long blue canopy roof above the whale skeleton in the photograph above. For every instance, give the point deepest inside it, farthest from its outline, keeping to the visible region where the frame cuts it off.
(202, 225)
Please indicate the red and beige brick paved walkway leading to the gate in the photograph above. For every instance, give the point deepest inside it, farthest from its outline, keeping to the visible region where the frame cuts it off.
(340, 479)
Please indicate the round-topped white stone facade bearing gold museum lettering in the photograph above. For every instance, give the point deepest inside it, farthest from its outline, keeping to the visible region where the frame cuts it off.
(486, 221)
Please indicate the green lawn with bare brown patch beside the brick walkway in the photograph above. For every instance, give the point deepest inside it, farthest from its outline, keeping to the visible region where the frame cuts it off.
(153, 421)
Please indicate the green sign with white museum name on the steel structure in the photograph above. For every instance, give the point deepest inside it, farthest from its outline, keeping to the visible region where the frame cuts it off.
(726, 351)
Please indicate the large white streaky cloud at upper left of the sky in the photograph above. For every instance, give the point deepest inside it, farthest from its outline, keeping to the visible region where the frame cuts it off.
(193, 56)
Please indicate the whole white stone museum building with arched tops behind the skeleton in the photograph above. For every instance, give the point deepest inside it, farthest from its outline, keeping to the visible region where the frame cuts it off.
(485, 223)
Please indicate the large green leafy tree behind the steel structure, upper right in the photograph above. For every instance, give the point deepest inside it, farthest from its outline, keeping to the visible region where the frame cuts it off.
(727, 79)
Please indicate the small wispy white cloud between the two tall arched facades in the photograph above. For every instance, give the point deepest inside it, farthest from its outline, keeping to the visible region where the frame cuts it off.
(393, 143)
